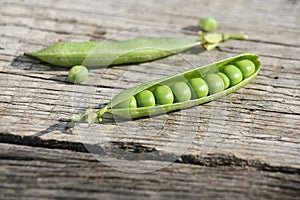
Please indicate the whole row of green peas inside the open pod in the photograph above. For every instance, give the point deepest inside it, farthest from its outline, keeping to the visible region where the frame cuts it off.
(194, 88)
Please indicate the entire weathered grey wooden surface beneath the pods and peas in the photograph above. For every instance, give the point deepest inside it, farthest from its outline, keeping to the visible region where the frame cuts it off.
(253, 133)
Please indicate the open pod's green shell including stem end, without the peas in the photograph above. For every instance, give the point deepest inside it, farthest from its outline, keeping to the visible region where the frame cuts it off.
(201, 72)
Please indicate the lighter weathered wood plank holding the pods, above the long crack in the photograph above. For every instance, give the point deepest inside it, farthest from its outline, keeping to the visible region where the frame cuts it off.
(259, 122)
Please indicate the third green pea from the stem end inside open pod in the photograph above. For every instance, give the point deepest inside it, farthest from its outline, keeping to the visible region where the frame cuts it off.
(163, 95)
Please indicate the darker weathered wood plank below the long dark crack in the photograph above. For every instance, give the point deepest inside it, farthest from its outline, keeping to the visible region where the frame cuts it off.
(41, 173)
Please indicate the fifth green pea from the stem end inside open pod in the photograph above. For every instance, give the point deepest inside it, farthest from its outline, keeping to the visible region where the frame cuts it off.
(199, 88)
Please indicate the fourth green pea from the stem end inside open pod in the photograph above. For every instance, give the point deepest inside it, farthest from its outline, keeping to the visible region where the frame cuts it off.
(181, 92)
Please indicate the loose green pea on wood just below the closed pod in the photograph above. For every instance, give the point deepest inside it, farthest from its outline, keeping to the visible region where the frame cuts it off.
(78, 74)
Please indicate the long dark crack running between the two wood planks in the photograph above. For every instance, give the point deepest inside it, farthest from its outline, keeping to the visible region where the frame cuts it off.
(140, 150)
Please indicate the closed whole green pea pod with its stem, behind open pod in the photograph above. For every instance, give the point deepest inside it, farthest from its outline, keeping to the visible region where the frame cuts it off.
(93, 54)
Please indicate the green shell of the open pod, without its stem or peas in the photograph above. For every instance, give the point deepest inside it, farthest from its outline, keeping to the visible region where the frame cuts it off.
(201, 71)
